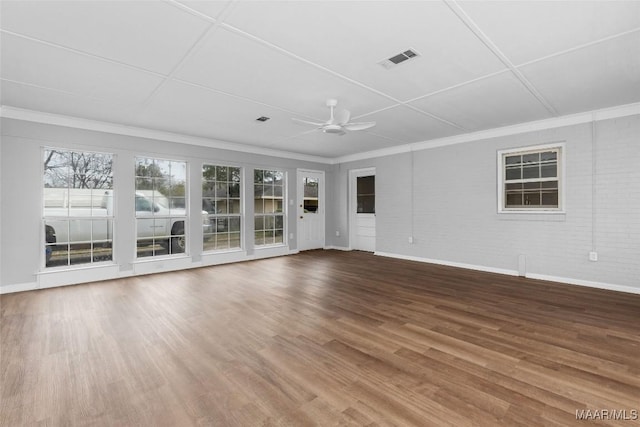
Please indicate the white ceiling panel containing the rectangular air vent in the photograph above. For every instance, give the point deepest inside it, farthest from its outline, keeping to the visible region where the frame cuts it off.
(353, 37)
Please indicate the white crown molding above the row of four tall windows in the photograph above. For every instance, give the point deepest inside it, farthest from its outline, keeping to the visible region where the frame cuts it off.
(118, 129)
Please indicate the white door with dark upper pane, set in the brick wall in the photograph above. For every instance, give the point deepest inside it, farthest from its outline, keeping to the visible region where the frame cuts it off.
(362, 207)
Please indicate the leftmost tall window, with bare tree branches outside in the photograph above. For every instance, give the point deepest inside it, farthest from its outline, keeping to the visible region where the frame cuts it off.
(78, 207)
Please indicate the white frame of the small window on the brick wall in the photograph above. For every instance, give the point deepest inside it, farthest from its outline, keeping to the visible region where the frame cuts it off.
(501, 172)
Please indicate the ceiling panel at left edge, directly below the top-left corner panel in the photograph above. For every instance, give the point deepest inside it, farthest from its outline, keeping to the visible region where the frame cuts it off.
(38, 64)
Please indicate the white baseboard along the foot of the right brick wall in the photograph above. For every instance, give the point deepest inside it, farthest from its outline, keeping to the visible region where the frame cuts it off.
(565, 280)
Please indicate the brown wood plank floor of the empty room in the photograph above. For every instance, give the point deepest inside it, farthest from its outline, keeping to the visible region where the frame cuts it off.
(320, 338)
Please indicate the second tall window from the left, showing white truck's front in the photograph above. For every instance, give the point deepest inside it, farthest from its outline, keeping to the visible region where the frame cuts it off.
(160, 203)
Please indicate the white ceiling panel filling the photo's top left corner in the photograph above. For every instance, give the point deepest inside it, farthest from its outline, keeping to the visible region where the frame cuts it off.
(147, 34)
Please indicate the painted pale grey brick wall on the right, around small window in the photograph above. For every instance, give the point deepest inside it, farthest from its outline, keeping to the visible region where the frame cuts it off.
(451, 211)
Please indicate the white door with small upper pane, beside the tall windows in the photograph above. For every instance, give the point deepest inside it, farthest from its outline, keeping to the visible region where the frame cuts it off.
(311, 210)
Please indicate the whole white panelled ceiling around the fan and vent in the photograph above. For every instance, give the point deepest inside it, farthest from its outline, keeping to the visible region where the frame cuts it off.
(210, 68)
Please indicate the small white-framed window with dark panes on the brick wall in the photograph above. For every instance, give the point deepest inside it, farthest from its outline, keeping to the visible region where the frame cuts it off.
(530, 180)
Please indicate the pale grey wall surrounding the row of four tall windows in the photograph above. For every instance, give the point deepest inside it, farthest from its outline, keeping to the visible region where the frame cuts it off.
(21, 241)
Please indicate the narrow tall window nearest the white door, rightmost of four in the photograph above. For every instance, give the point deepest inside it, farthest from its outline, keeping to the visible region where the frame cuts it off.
(268, 207)
